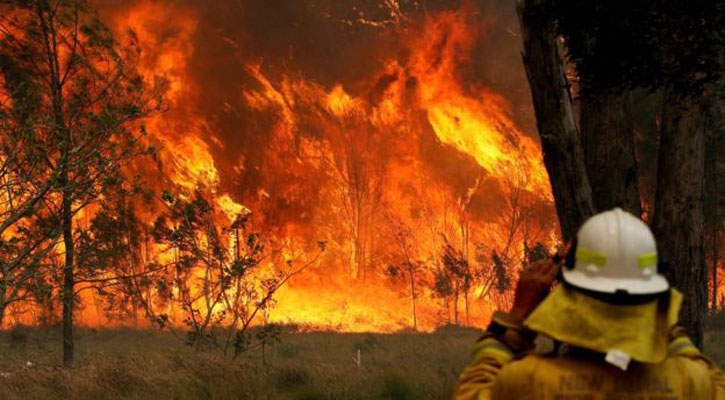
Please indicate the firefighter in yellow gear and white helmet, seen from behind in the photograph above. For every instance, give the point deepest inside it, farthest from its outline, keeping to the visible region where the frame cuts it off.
(610, 325)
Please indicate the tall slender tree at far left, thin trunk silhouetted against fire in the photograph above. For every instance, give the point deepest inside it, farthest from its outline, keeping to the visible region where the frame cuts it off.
(78, 124)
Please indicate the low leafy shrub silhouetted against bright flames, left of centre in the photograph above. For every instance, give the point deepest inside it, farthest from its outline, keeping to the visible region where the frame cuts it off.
(221, 277)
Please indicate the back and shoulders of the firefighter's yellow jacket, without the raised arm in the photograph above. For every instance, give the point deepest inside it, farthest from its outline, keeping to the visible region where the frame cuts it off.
(683, 376)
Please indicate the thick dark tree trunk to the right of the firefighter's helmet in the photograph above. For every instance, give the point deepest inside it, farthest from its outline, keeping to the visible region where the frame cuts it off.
(679, 221)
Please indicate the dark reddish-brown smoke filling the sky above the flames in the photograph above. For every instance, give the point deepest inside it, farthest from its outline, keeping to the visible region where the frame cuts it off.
(309, 39)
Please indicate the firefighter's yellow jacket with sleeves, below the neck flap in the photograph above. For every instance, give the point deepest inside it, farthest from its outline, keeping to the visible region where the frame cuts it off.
(495, 374)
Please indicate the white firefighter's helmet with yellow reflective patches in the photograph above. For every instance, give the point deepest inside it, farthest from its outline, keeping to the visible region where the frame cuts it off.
(616, 251)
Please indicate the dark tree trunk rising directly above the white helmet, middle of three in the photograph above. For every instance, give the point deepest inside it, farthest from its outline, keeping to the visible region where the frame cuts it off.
(607, 136)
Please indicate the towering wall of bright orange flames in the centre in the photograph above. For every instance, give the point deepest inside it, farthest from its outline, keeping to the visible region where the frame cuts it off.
(410, 160)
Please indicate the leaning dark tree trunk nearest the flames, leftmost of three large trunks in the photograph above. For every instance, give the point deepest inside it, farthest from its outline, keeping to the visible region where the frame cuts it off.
(563, 156)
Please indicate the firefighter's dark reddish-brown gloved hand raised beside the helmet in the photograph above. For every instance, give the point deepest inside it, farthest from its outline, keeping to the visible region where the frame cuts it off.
(534, 284)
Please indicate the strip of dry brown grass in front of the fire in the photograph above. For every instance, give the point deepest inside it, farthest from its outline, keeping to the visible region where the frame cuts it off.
(145, 364)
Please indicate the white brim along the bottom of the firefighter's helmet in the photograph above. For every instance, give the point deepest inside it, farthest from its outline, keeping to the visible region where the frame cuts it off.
(656, 284)
